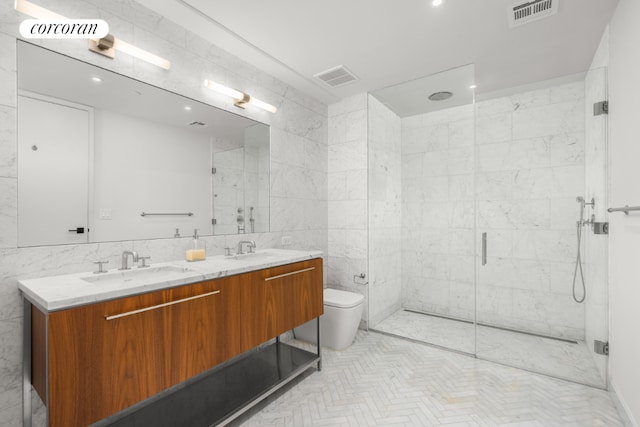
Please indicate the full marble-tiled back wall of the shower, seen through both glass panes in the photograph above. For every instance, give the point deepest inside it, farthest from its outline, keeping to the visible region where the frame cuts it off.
(518, 183)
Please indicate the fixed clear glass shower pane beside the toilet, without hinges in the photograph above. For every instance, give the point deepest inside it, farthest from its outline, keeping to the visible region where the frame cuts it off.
(422, 210)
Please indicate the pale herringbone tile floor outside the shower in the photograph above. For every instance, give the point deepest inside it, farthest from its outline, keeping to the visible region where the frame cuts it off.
(386, 381)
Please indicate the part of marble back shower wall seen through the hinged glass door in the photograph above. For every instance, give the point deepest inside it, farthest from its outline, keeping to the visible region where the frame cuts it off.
(530, 170)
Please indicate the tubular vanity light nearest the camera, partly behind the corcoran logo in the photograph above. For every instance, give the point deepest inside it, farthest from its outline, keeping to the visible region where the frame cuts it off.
(105, 46)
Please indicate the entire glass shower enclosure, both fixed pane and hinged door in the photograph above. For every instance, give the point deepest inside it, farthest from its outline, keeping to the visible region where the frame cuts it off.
(475, 223)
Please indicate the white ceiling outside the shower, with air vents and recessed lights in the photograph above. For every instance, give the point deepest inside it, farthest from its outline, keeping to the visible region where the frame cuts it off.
(386, 42)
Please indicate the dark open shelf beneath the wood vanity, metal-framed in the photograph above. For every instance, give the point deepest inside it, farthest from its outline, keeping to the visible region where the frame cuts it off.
(221, 395)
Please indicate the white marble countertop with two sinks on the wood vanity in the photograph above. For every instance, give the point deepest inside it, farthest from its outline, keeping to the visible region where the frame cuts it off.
(71, 290)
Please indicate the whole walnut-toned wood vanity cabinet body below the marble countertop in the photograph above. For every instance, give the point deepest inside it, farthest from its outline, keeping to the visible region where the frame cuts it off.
(93, 361)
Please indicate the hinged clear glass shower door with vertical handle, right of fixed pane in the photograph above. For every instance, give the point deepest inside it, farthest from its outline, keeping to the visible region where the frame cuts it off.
(540, 181)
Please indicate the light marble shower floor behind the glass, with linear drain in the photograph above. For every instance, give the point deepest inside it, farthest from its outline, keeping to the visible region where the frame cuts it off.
(561, 359)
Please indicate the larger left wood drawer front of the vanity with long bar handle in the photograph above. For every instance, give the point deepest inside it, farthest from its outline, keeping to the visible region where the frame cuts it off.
(105, 357)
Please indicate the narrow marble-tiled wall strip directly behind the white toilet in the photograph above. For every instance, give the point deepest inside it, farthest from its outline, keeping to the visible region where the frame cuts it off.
(347, 195)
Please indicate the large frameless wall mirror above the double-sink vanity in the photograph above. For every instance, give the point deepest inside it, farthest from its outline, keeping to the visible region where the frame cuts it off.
(103, 157)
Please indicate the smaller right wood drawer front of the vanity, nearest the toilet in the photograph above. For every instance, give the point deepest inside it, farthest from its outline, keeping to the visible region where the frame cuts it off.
(277, 299)
